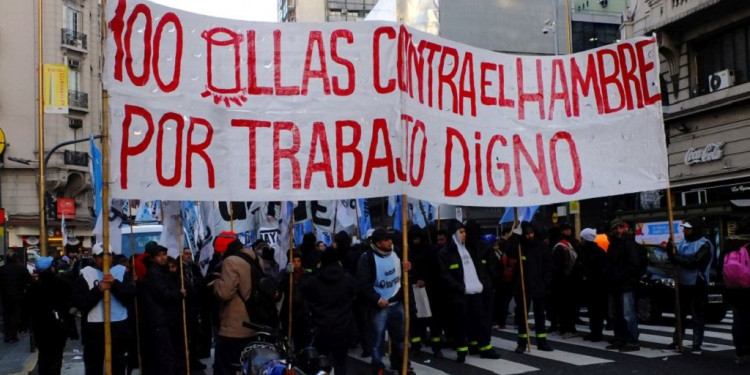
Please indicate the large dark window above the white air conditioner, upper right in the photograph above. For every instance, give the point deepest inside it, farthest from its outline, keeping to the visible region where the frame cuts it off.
(726, 50)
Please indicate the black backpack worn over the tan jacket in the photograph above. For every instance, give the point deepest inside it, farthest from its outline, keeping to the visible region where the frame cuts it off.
(260, 306)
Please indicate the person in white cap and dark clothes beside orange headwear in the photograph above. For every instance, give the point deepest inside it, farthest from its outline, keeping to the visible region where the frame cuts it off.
(593, 258)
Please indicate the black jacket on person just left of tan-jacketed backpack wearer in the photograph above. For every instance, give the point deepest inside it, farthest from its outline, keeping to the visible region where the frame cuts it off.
(161, 297)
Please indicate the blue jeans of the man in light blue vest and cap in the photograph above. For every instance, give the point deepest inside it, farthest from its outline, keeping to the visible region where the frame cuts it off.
(391, 318)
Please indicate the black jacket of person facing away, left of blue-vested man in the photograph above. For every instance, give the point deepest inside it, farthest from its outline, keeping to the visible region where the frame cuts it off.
(330, 297)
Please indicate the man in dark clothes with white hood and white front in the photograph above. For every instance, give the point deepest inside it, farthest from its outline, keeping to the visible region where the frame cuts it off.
(465, 268)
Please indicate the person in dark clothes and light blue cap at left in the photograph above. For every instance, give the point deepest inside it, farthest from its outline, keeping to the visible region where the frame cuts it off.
(47, 310)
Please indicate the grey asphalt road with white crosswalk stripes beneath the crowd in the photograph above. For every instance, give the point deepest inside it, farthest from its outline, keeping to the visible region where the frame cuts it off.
(571, 356)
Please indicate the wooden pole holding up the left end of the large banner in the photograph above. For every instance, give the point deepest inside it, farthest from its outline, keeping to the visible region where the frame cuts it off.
(105, 211)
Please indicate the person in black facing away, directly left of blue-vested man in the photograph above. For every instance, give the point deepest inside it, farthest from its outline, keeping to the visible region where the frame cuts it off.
(330, 295)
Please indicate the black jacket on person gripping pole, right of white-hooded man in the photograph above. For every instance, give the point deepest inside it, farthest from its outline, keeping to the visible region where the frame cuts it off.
(537, 266)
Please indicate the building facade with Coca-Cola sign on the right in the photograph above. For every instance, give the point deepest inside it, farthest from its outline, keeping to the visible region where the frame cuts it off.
(705, 79)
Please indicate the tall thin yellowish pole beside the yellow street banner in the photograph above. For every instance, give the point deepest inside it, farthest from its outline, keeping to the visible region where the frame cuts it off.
(40, 131)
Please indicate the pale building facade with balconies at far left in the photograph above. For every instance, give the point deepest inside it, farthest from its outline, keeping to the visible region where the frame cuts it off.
(71, 38)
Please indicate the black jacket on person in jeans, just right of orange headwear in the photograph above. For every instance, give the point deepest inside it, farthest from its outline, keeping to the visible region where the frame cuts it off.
(622, 264)
